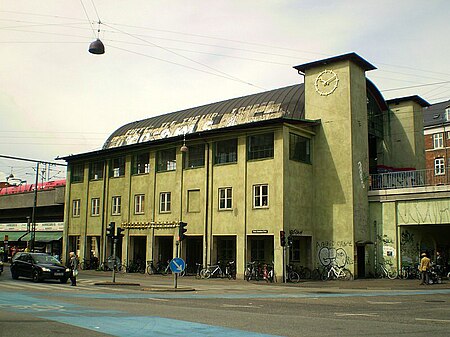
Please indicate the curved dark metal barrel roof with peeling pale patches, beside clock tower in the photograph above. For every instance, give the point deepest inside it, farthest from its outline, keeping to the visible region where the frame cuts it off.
(287, 102)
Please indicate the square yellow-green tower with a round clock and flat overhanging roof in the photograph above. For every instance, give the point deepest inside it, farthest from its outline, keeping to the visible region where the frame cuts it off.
(335, 94)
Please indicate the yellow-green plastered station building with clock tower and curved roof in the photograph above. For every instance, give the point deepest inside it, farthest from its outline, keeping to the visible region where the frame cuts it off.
(239, 172)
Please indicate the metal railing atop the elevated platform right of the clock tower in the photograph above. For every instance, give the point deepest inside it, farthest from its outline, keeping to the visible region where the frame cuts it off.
(408, 179)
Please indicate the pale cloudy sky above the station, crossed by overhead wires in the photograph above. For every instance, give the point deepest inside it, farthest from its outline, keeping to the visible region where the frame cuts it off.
(57, 99)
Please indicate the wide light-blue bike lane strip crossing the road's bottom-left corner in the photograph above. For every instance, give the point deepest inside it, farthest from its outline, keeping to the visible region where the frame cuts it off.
(112, 322)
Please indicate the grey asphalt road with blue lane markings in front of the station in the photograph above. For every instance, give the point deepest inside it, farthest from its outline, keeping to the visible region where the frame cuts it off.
(215, 307)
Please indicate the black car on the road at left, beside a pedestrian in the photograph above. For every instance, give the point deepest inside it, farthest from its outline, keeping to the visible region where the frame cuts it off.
(38, 267)
